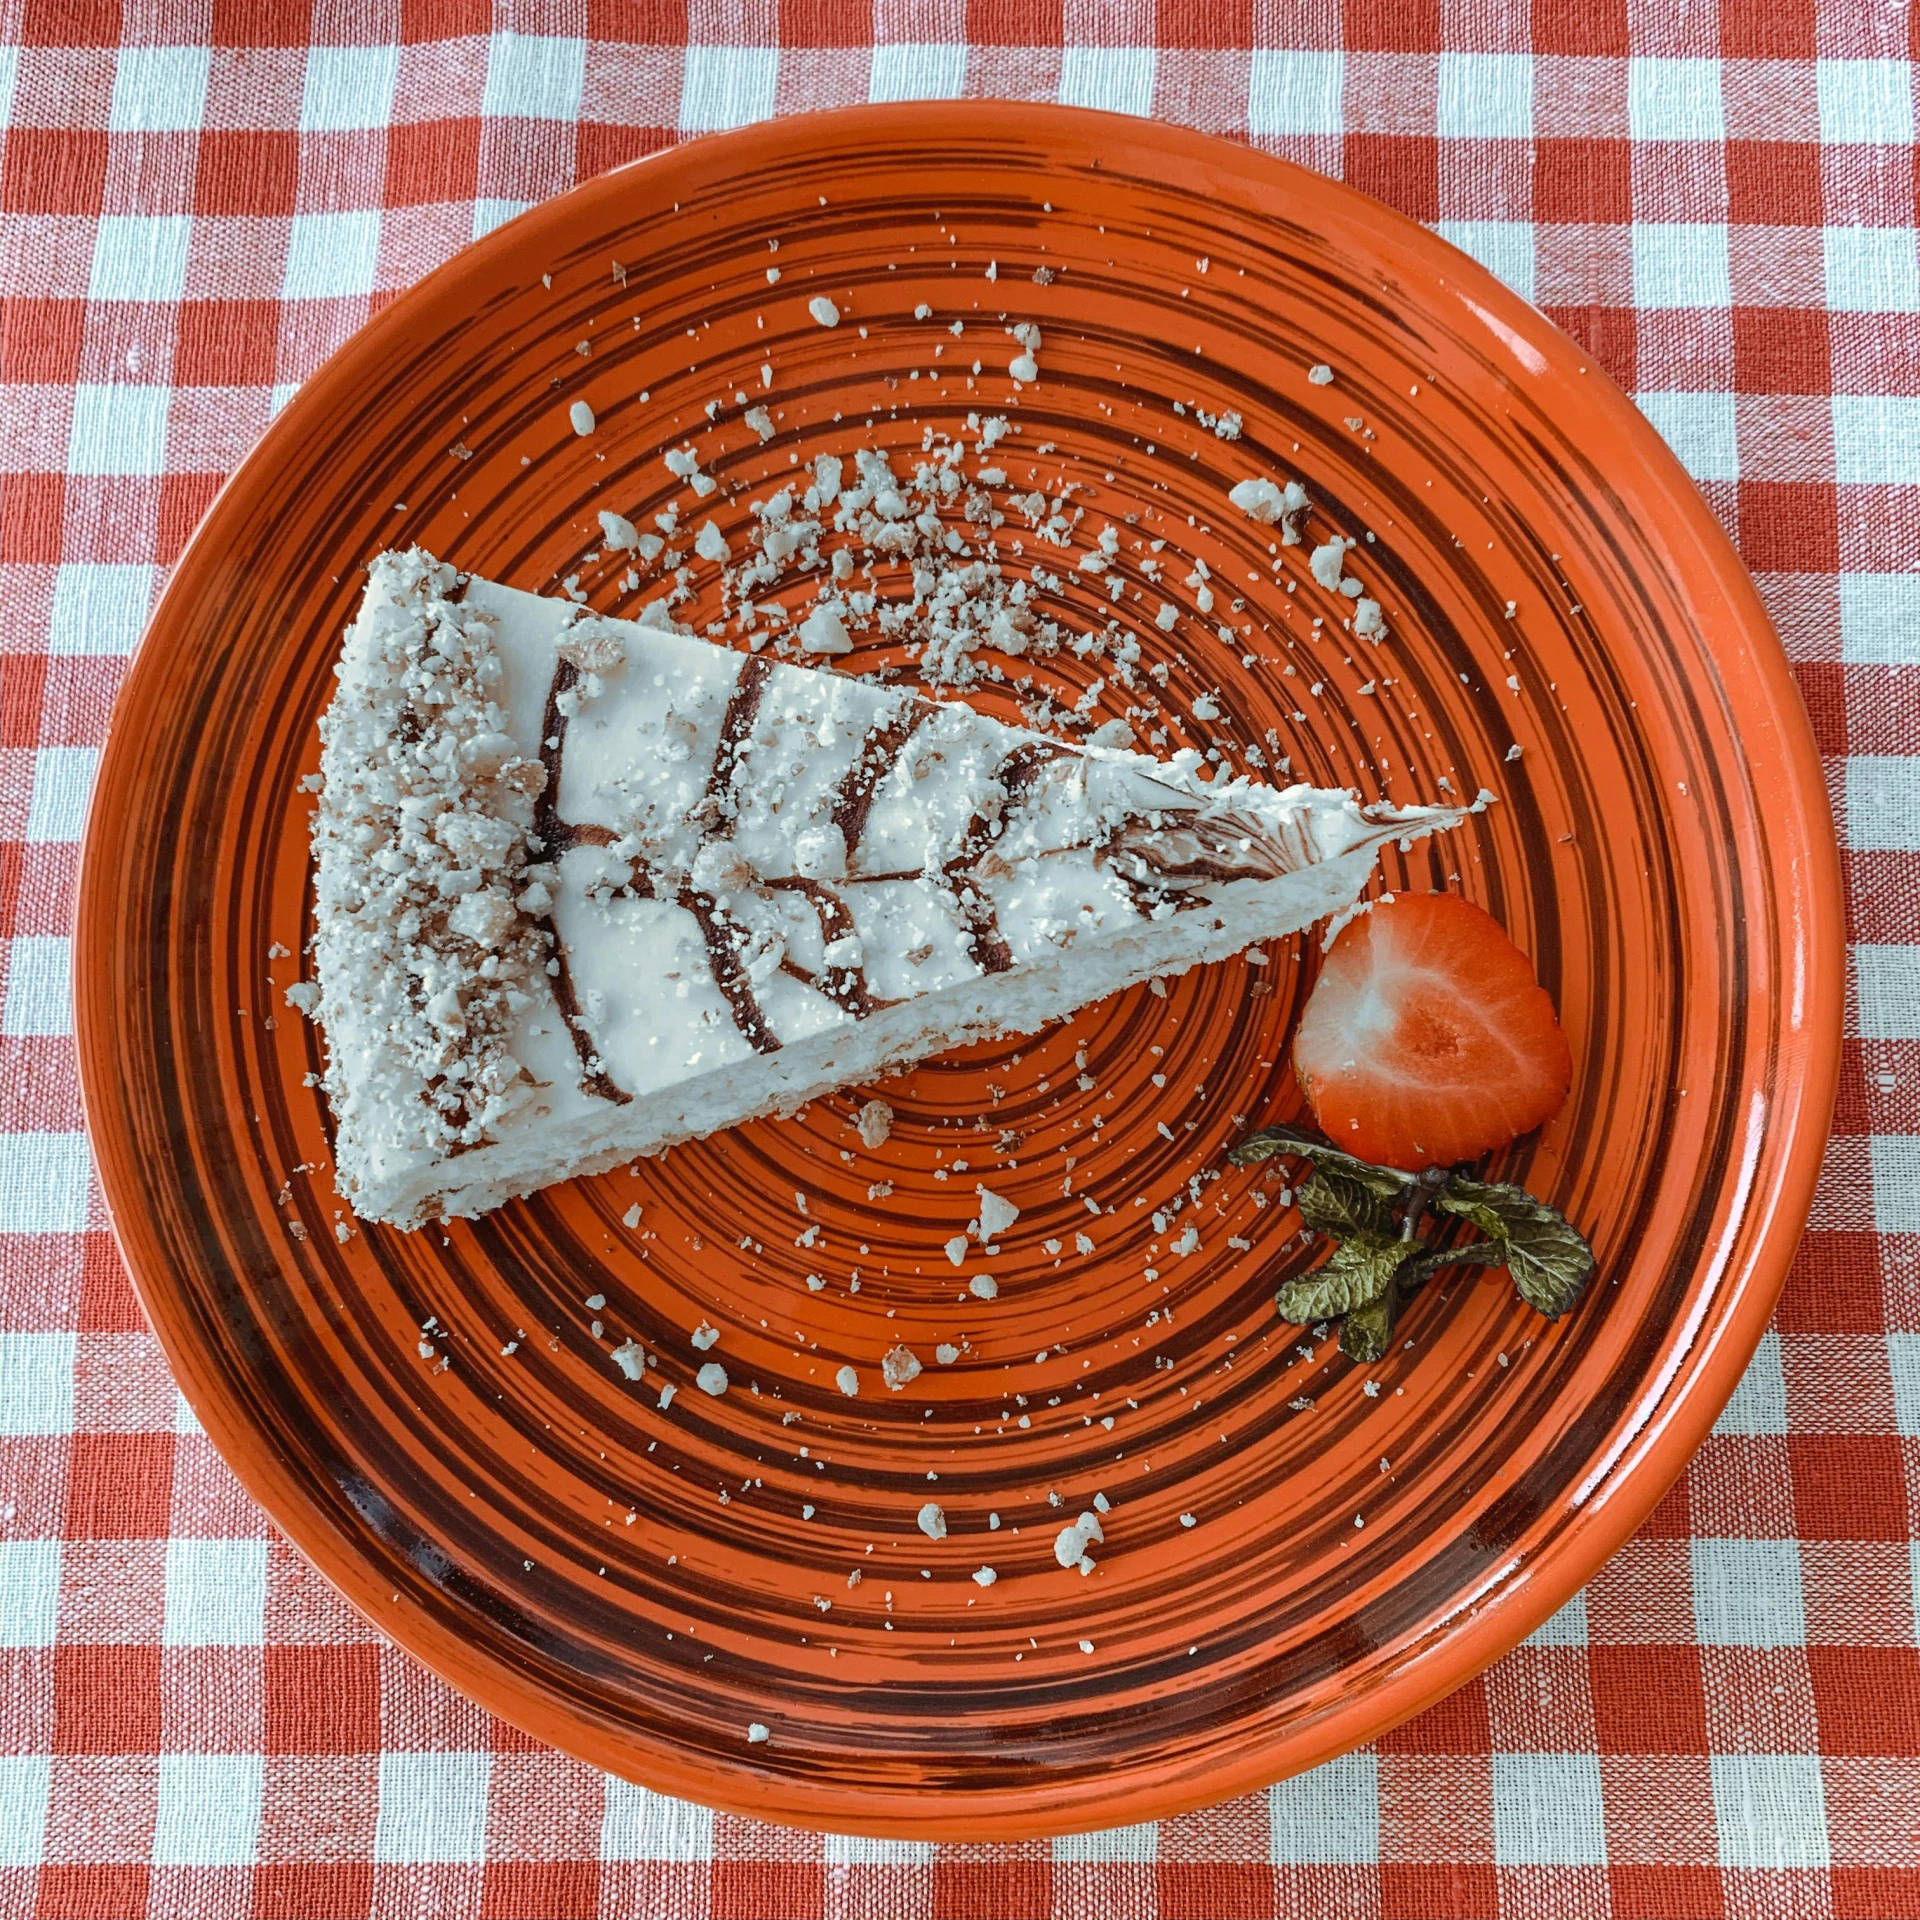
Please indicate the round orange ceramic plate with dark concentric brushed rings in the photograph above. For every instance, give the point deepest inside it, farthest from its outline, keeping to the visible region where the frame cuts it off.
(638, 1585)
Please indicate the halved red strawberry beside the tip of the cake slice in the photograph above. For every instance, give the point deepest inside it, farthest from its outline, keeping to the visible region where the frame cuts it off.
(1428, 1040)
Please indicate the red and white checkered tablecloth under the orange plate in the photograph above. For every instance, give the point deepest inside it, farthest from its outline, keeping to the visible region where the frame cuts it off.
(201, 199)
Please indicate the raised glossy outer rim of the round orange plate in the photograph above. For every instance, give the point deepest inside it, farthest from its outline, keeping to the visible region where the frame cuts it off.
(1804, 861)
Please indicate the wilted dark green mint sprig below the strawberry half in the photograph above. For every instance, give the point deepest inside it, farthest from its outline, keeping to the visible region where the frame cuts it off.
(1380, 1260)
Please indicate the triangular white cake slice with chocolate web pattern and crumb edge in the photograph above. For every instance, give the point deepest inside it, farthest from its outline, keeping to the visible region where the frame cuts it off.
(588, 888)
